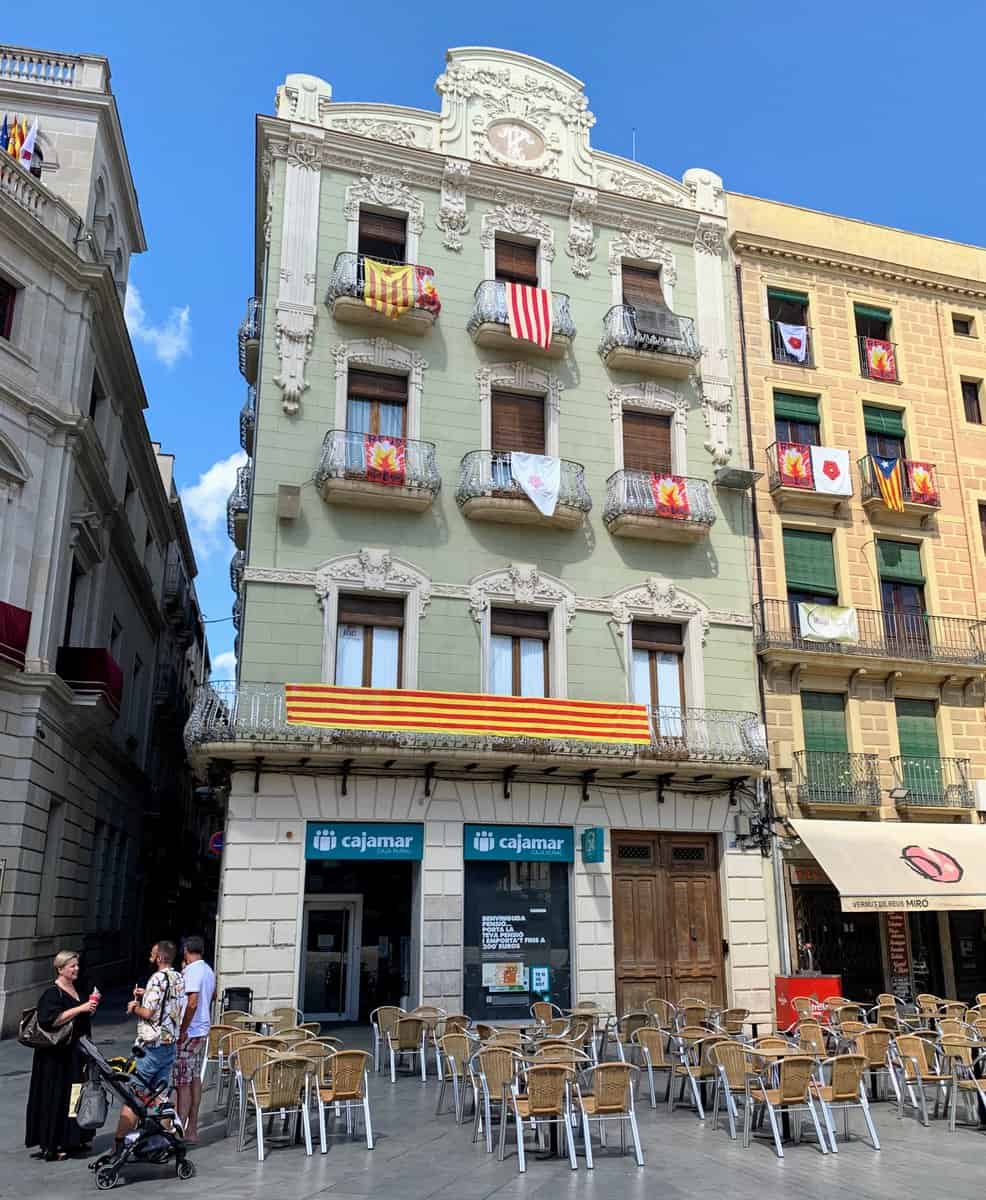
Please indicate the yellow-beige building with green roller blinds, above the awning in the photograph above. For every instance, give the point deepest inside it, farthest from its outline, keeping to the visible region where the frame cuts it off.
(865, 365)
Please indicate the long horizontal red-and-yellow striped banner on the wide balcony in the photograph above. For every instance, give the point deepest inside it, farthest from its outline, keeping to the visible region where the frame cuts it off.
(395, 711)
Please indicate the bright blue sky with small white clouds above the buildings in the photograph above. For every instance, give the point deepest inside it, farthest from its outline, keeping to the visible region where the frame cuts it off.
(870, 113)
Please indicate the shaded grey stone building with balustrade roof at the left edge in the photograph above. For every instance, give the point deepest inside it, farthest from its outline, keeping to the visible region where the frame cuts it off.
(101, 639)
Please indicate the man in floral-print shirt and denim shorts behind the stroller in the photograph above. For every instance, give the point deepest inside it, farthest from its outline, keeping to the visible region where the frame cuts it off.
(158, 1010)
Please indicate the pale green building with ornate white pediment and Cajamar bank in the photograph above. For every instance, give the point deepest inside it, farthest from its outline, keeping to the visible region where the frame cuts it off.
(436, 791)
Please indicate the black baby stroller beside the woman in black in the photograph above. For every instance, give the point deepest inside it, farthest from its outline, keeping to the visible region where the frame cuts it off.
(159, 1133)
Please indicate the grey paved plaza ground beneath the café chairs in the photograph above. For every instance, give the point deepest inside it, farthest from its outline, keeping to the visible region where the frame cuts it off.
(418, 1157)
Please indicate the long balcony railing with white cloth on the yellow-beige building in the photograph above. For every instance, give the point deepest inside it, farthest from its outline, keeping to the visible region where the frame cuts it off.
(892, 635)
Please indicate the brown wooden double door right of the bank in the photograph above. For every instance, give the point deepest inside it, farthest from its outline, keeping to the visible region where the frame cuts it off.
(668, 919)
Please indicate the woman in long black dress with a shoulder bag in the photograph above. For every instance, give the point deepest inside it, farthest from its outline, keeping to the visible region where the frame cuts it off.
(58, 1069)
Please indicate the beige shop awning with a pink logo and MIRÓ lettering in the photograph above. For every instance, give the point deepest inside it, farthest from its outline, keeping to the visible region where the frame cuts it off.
(900, 867)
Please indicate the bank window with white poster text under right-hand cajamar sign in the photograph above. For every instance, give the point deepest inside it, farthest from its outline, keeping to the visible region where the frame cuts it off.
(516, 934)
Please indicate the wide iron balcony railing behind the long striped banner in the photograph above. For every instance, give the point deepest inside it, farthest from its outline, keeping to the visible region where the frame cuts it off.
(257, 713)
